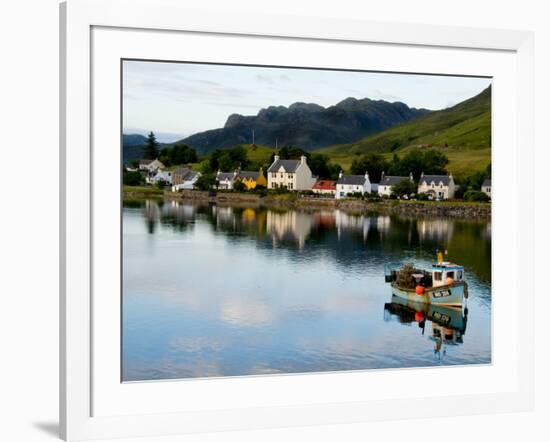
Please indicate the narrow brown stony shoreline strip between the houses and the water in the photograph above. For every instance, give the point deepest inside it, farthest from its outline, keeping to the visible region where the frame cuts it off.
(439, 209)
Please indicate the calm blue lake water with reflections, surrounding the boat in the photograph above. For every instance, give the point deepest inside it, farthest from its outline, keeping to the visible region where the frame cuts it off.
(227, 291)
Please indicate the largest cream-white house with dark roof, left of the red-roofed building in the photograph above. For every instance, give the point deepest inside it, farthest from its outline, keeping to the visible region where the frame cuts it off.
(290, 174)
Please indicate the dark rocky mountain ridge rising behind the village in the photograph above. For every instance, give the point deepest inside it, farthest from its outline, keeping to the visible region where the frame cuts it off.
(307, 125)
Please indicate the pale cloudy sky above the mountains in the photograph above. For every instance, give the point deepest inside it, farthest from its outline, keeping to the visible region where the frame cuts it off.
(176, 100)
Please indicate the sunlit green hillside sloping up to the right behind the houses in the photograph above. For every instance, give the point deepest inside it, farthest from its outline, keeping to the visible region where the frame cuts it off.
(462, 132)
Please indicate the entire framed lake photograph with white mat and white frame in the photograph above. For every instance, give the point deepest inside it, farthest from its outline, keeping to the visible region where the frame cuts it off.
(282, 221)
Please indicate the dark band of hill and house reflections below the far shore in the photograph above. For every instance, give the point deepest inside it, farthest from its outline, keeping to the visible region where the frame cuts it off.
(353, 240)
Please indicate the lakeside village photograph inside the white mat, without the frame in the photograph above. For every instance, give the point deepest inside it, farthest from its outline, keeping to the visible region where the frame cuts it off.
(281, 220)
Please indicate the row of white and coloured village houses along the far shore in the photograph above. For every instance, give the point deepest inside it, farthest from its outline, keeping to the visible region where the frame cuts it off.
(294, 175)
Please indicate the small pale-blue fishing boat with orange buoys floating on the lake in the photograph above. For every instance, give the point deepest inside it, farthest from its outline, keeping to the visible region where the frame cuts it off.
(441, 284)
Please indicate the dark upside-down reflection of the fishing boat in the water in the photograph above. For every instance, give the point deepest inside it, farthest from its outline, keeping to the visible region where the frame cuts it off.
(448, 324)
